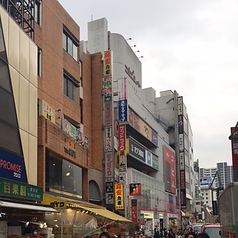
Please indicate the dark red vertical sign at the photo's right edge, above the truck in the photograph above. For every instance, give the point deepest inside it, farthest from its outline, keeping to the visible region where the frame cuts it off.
(234, 151)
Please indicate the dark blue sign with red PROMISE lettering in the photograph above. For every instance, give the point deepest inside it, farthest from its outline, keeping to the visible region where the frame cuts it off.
(12, 167)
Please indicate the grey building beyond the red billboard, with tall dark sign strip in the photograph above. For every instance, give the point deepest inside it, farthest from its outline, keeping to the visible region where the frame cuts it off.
(170, 110)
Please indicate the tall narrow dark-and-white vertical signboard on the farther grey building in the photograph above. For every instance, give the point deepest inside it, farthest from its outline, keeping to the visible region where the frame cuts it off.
(181, 153)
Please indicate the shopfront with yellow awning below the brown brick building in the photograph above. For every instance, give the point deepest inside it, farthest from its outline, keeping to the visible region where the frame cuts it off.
(76, 218)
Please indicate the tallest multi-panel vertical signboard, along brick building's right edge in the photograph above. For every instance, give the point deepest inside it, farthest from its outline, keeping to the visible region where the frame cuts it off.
(108, 129)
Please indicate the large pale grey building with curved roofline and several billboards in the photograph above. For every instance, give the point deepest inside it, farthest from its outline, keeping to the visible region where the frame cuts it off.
(146, 158)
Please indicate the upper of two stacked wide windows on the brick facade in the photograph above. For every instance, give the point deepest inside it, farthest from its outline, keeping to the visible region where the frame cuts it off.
(70, 44)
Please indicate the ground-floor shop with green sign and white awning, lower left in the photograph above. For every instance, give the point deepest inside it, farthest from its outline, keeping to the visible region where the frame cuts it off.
(20, 209)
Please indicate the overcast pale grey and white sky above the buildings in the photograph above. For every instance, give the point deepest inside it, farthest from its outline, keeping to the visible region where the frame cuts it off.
(190, 46)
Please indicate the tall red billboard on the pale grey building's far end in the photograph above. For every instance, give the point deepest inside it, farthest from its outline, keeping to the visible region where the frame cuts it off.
(170, 174)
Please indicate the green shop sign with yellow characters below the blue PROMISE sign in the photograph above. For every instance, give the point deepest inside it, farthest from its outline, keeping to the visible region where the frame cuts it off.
(20, 190)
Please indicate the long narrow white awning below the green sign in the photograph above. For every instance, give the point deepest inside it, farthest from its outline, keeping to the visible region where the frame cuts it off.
(26, 206)
